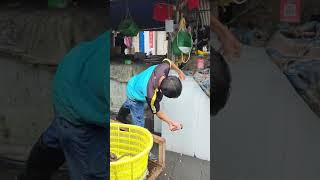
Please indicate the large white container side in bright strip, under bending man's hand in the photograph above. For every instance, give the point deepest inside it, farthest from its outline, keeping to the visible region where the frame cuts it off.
(192, 109)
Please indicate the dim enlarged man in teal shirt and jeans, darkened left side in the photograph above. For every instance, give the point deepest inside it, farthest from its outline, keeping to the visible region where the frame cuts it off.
(79, 132)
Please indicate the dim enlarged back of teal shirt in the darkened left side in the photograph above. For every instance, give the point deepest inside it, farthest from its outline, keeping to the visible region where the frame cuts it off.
(80, 89)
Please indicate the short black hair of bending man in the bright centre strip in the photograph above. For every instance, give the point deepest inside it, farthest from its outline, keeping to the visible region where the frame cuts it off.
(171, 87)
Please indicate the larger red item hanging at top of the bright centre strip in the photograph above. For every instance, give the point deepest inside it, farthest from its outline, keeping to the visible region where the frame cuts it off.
(162, 12)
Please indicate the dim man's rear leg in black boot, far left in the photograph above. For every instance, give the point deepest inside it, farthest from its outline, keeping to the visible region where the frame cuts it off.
(45, 157)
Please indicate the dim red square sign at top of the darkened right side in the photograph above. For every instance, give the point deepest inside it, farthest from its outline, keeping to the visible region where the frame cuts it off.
(290, 11)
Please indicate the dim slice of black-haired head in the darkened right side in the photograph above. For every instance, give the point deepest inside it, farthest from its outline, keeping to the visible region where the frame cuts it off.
(220, 82)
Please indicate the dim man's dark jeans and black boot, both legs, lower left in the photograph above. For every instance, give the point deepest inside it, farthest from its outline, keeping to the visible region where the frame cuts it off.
(84, 148)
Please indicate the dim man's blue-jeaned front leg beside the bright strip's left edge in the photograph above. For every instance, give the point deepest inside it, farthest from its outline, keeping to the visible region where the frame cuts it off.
(86, 151)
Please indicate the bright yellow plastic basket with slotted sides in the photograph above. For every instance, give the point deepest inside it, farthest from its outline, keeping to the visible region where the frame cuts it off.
(134, 140)
